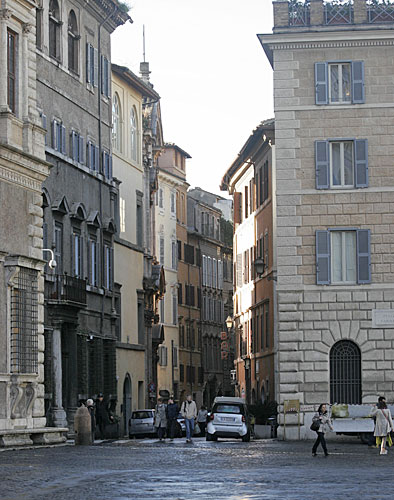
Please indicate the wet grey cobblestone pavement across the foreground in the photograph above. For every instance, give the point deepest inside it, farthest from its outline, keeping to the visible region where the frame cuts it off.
(224, 470)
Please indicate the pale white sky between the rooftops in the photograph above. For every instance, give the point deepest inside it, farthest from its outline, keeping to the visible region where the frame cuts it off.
(210, 70)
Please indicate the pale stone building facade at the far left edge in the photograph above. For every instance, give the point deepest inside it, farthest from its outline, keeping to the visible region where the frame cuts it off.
(23, 169)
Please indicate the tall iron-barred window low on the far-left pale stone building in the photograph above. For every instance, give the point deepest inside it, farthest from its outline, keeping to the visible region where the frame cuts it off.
(24, 323)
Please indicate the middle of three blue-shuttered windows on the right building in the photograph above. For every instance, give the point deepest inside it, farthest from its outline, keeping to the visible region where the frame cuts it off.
(341, 163)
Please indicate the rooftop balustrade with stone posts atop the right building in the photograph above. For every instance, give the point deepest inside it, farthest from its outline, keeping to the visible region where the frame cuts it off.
(306, 13)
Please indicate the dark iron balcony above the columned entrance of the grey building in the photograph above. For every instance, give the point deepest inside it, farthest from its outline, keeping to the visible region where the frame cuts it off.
(67, 290)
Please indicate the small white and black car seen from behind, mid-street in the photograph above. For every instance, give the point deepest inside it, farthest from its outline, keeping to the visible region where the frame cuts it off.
(229, 418)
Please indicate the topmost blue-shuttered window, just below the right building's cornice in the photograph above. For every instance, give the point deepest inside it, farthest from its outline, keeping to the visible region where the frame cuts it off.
(339, 82)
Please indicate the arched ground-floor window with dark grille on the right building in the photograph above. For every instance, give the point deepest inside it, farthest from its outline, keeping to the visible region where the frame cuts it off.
(345, 373)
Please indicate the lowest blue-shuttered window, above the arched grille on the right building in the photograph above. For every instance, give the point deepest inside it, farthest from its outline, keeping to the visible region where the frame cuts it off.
(343, 257)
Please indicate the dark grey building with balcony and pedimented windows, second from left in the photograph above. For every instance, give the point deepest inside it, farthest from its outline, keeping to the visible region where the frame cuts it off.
(80, 201)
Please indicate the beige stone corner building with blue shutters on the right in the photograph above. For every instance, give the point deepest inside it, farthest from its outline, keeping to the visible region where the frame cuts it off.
(333, 92)
